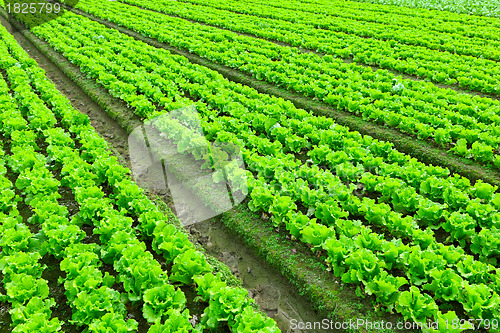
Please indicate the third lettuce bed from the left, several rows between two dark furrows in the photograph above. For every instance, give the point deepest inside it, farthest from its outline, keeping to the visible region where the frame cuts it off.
(412, 107)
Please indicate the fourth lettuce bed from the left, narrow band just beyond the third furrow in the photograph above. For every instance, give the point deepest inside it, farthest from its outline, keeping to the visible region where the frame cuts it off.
(439, 67)
